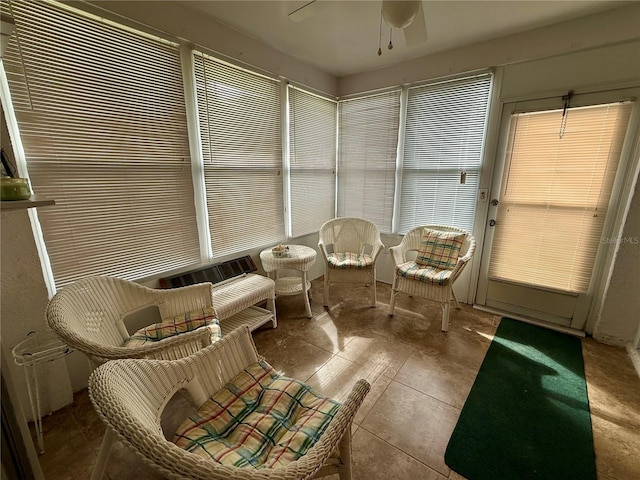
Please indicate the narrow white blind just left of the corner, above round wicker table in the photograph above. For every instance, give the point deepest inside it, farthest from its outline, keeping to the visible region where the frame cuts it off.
(312, 164)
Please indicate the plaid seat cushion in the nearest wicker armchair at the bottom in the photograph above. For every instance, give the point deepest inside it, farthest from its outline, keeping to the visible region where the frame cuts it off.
(259, 420)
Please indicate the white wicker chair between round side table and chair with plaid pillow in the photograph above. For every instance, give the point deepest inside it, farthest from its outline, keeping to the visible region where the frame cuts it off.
(350, 247)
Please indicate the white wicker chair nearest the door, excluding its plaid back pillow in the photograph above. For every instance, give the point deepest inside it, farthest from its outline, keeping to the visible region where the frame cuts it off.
(431, 291)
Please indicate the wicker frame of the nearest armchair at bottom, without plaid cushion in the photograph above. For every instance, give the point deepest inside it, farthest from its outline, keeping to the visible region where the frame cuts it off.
(130, 396)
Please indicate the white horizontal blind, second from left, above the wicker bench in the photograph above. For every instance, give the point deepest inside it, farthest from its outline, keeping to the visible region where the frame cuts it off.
(240, 131)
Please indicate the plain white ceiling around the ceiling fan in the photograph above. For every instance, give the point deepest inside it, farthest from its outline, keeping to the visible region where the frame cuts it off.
(341, 37)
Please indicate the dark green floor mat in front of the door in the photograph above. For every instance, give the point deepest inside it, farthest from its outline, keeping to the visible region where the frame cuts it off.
(527, 415)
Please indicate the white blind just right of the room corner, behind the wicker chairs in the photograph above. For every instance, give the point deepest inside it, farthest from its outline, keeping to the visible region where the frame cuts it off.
(368, 143)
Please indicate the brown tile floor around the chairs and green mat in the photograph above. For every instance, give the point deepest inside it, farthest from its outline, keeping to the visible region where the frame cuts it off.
(419, 375)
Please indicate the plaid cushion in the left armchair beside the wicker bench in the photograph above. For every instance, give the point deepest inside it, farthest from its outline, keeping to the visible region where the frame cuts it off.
(185, 322)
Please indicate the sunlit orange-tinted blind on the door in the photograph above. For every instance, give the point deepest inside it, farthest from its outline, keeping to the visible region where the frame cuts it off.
(554, 195)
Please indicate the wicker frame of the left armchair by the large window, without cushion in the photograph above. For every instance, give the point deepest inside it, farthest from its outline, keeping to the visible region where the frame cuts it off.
(89, 316)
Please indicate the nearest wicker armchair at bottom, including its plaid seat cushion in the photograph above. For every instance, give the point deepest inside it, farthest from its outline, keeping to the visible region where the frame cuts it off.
(130, 396)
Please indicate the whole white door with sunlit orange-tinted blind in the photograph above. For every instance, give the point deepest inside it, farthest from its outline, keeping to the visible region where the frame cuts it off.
(557, 175)
